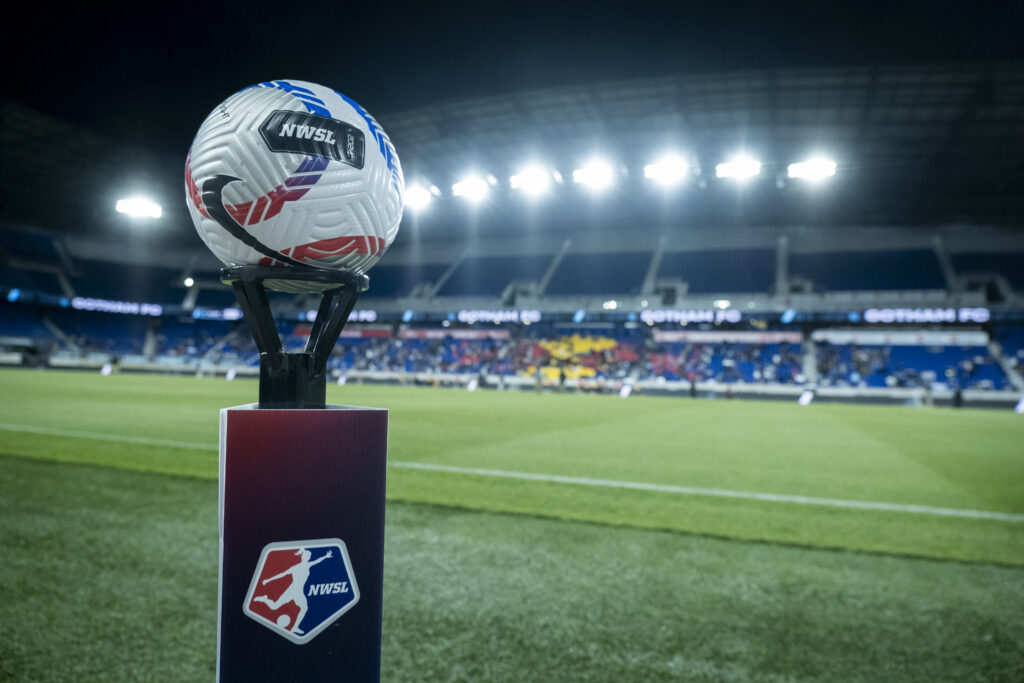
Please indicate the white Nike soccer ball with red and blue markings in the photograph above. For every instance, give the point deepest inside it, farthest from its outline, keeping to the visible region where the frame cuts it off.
(290, 174)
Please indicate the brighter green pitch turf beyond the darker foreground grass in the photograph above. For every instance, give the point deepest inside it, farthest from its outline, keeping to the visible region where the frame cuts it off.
(942, 458)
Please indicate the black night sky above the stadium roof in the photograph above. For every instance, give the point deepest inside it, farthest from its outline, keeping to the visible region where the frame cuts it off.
(148, 76)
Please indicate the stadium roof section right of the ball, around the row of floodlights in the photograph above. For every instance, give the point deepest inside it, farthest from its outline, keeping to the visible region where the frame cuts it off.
(915, 145)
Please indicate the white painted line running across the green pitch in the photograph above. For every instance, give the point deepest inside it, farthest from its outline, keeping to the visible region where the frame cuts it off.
(580, 482)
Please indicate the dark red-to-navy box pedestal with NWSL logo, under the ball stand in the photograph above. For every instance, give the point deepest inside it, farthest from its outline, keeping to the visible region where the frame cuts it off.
(302, 544)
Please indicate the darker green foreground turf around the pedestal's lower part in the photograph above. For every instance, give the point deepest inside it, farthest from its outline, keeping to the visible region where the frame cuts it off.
(110, 575)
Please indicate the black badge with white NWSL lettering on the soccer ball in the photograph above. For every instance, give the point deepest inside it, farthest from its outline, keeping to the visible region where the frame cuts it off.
(298, 133)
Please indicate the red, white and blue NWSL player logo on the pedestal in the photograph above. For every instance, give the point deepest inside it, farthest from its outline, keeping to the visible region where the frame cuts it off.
(302, 587)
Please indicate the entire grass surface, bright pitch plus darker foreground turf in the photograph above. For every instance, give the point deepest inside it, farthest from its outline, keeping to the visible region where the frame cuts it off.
(529, 552)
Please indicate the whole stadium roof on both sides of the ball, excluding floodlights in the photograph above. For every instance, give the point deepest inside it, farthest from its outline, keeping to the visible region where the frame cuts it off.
(915, 145)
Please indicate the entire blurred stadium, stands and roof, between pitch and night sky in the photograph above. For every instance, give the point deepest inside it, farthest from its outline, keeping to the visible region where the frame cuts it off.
(636, 262)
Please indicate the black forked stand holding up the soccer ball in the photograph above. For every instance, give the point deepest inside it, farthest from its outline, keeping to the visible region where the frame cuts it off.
(294, 380)
